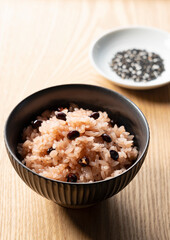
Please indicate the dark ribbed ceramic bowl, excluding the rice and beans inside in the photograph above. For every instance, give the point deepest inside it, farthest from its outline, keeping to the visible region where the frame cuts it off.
(76, 195)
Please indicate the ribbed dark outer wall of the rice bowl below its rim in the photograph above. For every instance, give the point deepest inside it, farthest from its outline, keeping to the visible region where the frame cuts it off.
(73, 195)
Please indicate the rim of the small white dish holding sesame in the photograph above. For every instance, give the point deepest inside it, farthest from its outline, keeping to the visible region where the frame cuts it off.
(134, 85)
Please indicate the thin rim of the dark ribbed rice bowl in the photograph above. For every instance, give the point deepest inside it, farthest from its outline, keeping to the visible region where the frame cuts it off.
(70, 86)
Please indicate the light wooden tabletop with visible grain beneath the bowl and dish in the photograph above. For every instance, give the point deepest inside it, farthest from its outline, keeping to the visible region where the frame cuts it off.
(45, 43)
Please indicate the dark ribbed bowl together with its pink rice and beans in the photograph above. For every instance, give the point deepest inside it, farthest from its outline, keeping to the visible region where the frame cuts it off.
(76, 144)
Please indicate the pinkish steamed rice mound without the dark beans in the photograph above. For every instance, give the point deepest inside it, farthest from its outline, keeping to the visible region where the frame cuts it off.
(65, 154)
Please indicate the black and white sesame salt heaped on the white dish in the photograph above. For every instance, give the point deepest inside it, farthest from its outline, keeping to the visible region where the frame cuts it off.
(138, 65)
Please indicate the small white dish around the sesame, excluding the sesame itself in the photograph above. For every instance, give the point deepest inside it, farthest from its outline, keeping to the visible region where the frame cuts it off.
(150, 39)
